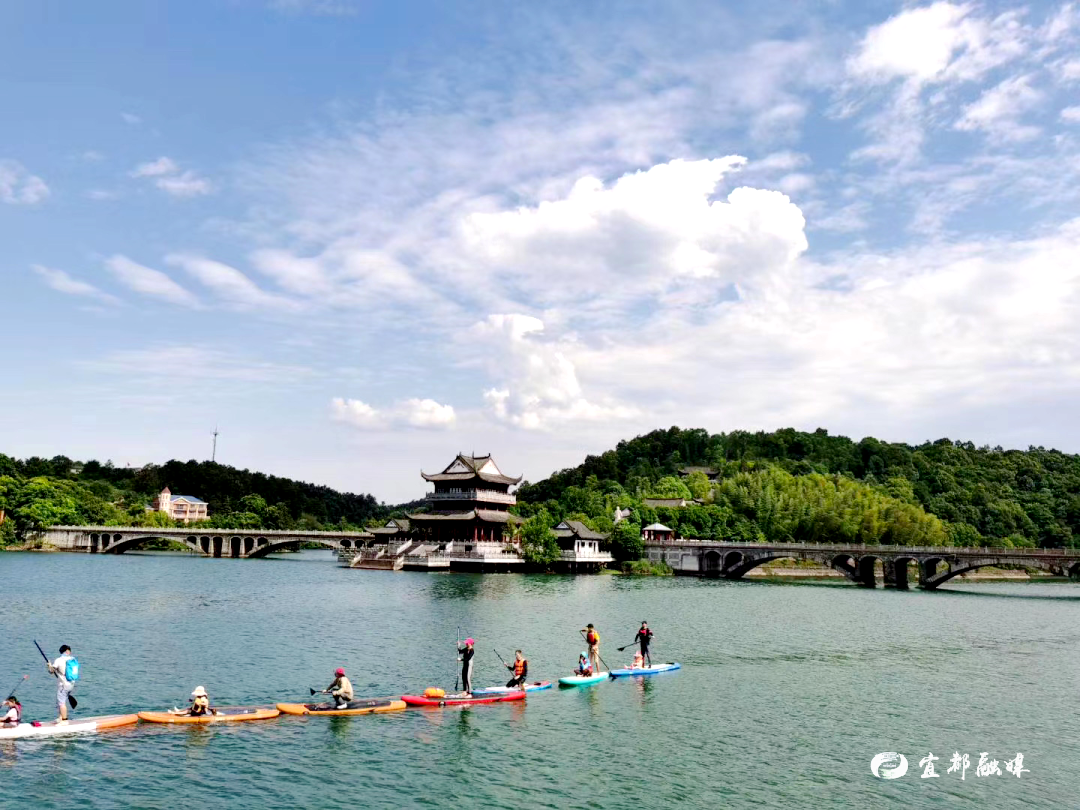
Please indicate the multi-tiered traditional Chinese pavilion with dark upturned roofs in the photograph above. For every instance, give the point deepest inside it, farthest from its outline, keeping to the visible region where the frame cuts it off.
(468, 507)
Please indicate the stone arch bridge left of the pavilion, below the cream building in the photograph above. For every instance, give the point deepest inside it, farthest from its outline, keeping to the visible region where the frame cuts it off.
(209, 543)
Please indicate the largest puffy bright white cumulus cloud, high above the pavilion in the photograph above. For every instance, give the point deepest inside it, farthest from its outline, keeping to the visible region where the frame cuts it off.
(642, 235)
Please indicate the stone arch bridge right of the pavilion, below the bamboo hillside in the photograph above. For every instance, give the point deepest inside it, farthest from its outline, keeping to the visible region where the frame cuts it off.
(933, 566)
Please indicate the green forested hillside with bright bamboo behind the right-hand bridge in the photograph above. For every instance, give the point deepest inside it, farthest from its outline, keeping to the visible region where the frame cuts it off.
(790, 485)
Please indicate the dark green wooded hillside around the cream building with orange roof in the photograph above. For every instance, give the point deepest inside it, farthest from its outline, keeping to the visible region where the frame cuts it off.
(38, 493)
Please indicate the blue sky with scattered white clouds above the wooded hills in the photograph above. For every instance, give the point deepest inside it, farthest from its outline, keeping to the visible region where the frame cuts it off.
(362, 237)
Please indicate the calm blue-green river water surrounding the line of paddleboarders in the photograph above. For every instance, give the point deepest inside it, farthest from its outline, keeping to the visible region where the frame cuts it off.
(787, 694)
